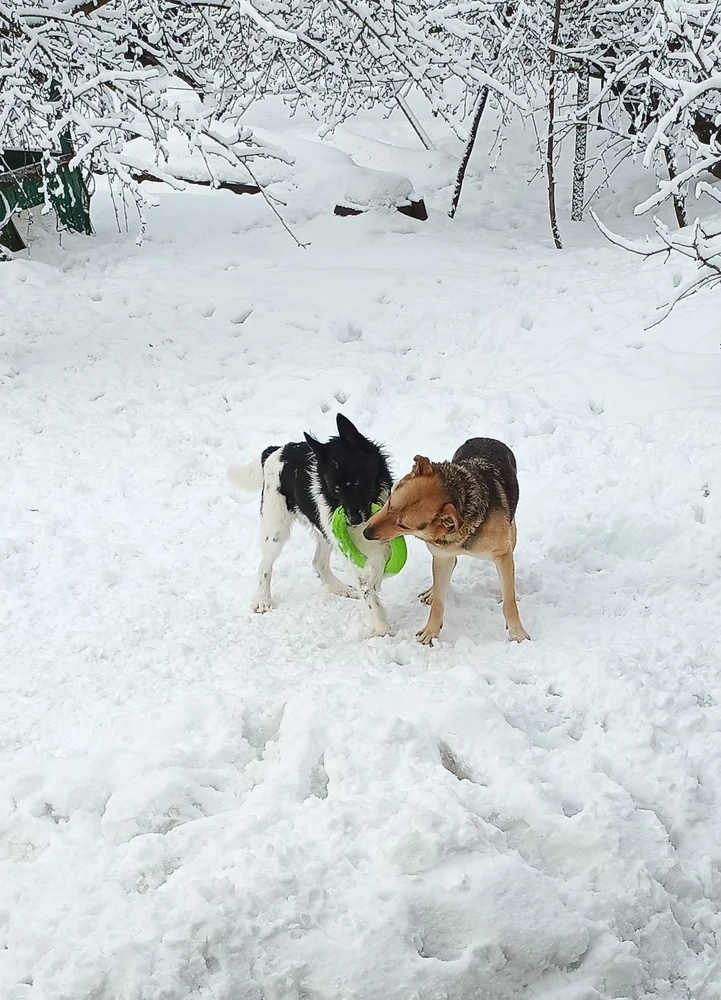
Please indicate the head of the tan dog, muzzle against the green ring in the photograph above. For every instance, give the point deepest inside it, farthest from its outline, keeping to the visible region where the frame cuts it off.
(419, 505)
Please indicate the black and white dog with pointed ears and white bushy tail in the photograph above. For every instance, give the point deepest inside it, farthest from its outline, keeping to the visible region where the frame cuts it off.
(307, 481)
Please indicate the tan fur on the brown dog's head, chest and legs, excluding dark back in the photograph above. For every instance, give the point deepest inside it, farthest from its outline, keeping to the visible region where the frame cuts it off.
(420, 505)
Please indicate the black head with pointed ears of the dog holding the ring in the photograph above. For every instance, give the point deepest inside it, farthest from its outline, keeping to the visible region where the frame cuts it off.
(352, 470)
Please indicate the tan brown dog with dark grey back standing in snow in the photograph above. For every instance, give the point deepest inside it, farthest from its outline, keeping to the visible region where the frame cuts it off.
(463, 507)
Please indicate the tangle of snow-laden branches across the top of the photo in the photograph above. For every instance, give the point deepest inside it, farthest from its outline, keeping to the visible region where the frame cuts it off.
(107, 71)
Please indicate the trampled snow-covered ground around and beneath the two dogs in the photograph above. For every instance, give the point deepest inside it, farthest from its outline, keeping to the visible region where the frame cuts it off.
(196, 802)
